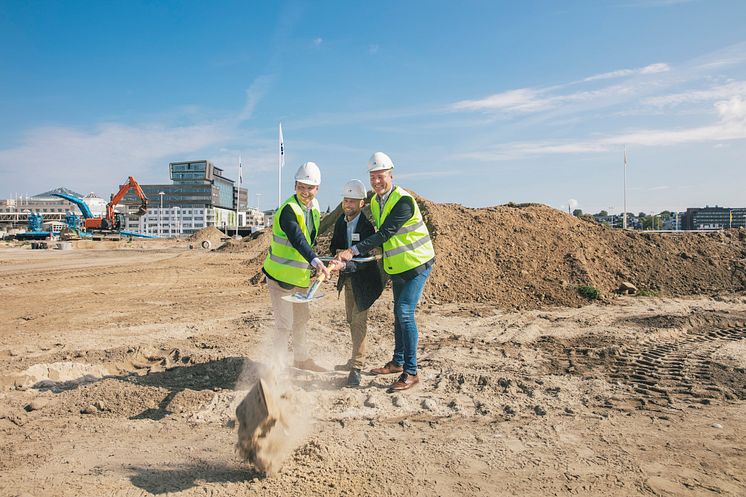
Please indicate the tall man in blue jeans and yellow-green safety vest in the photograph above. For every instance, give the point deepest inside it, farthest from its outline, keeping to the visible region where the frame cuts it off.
(408, 258)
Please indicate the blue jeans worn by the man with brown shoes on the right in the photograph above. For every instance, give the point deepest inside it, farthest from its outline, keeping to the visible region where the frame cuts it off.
(406, 296)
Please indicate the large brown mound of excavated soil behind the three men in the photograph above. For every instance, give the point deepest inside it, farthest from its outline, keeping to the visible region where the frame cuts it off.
(531, 255)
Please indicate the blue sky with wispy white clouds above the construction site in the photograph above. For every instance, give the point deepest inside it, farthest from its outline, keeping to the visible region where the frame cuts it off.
(477, 102)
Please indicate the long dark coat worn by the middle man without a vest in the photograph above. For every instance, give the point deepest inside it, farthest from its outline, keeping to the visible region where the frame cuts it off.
(367, 284)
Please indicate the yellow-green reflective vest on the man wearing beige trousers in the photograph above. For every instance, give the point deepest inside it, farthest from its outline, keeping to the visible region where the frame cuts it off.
(283, 262)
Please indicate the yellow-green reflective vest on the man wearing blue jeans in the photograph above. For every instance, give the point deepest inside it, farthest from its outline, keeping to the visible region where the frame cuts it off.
(411, 245)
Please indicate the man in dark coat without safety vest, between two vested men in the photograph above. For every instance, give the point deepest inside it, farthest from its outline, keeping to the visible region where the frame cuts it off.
(361, 282)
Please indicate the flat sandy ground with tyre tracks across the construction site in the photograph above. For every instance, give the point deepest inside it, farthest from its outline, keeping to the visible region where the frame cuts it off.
(120, 369)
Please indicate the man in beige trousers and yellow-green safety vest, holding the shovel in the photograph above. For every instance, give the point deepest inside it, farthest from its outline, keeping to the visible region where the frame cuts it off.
(288, 264)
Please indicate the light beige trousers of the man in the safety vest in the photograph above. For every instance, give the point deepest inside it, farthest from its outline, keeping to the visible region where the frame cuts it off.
(289, 317)
